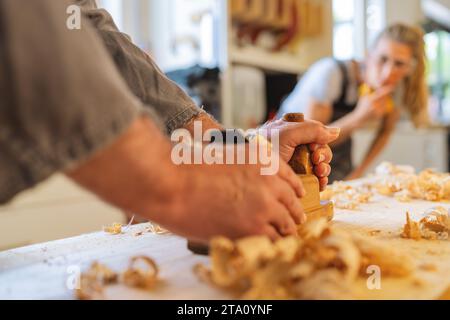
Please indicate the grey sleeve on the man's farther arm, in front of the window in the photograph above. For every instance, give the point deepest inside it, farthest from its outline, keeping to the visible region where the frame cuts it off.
(141, 73)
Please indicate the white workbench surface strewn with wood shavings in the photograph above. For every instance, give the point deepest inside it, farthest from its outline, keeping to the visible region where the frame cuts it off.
(41, 271)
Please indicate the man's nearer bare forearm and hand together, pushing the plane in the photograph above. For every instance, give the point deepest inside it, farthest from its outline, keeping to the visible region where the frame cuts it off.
(136, 174)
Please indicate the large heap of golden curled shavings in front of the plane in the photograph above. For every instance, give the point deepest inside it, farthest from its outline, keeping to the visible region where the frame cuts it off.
(323, 262)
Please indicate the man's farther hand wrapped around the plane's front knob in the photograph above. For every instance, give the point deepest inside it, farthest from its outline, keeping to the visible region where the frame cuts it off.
(312, 133)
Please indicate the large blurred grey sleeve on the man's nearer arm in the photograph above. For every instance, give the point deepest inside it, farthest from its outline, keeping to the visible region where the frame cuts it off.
(62, 98)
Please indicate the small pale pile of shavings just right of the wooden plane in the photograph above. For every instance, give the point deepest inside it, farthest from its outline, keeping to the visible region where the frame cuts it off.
(348, 197)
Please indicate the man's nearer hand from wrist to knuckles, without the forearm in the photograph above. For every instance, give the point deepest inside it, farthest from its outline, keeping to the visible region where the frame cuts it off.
(237, 201)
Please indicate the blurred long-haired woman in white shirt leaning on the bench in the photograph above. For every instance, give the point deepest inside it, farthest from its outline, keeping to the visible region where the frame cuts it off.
(351, 94)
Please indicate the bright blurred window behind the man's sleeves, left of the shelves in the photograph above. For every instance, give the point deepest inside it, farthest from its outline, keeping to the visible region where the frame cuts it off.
(177, 33)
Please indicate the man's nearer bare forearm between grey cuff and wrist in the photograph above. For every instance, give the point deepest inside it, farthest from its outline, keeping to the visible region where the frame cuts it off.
(136, 174)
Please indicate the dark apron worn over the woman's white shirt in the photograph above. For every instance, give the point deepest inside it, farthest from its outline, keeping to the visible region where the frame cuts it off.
(342, 164)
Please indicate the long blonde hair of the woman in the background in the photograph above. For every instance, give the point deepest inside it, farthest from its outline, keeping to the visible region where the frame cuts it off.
(416, 88)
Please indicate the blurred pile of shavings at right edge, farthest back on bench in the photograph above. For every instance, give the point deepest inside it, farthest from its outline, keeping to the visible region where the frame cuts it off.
(405, 185)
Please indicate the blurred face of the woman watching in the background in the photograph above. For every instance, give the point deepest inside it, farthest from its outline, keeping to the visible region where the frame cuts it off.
(388, 64)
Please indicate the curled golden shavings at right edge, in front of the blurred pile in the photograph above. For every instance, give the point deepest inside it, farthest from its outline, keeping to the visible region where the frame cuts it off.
(434, 226)
